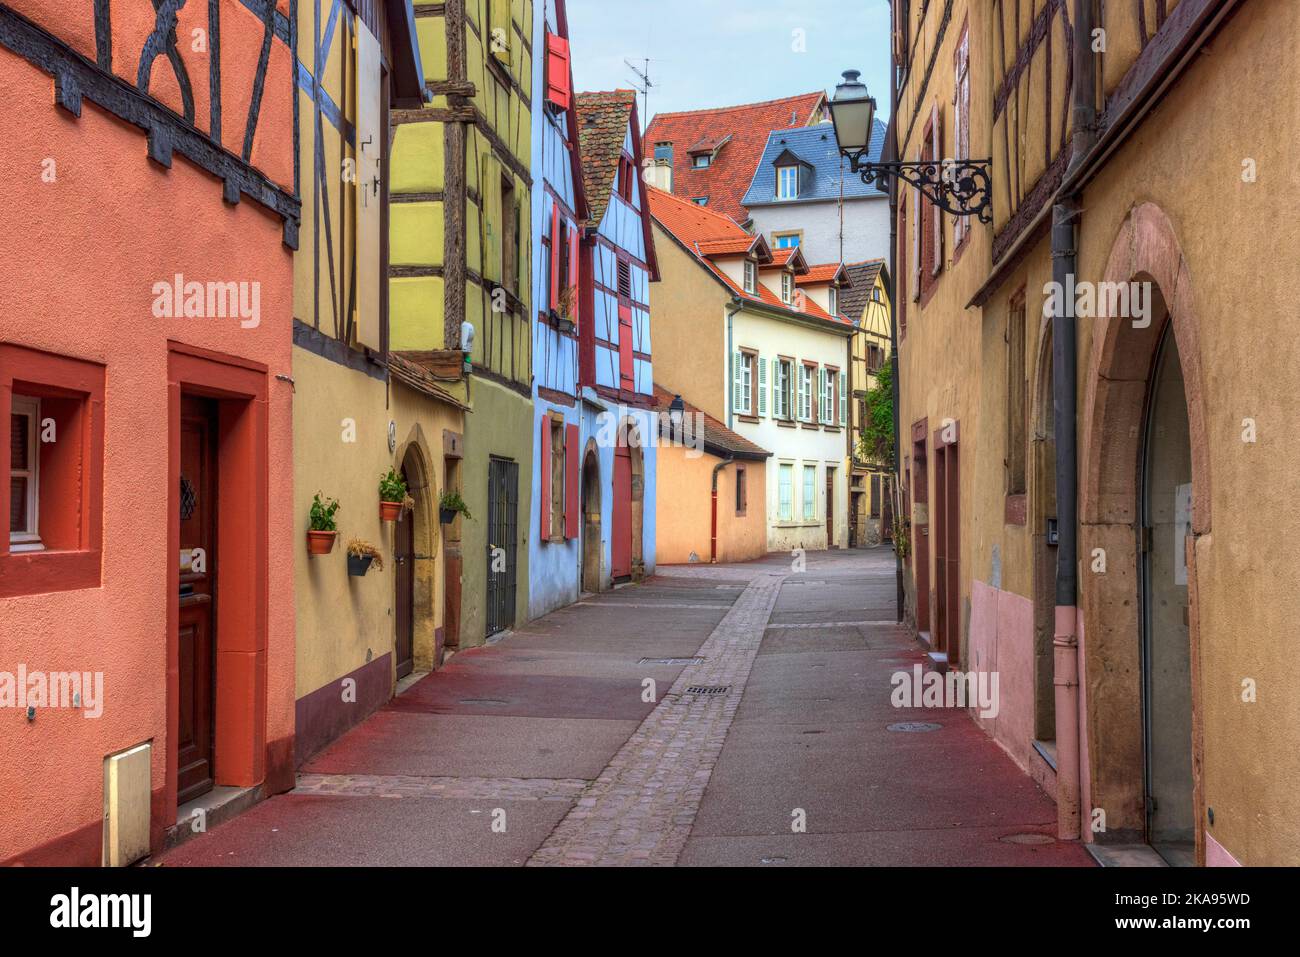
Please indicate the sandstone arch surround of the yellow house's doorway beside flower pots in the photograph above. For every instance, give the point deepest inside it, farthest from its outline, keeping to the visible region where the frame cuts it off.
(423, 542)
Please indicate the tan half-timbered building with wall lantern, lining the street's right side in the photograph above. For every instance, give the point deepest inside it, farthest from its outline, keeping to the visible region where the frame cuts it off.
(1093, 432)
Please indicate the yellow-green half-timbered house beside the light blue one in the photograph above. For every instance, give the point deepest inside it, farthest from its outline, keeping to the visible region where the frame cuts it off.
(460, 289)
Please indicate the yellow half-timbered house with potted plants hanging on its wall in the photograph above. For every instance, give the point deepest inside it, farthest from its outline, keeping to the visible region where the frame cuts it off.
(359, 406)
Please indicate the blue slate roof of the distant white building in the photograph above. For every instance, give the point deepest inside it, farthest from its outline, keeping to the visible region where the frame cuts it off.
(817, 148)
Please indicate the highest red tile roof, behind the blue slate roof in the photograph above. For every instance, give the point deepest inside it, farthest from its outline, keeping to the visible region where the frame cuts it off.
(731, 172)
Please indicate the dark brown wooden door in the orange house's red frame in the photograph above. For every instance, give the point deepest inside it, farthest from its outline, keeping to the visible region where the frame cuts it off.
(198, 558)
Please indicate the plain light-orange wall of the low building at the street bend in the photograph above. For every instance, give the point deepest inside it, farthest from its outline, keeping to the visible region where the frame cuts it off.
(684, 505)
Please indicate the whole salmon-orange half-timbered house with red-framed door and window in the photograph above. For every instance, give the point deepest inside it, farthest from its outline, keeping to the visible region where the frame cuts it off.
(146, 414)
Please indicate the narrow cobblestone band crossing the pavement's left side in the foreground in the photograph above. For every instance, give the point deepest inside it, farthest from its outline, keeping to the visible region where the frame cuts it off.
(405, 786)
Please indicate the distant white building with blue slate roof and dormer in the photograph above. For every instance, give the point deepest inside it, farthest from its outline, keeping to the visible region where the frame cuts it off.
(803, 194)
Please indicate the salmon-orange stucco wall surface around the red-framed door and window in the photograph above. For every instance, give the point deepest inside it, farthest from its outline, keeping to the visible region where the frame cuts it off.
(81, 256)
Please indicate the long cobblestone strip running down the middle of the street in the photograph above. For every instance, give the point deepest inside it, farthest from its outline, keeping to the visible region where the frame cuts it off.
(640, 811)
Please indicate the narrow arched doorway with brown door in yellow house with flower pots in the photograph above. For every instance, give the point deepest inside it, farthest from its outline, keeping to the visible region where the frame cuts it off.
(415, 548)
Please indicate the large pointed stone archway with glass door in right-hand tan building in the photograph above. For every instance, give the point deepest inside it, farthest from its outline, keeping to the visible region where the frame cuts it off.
(1145, 504)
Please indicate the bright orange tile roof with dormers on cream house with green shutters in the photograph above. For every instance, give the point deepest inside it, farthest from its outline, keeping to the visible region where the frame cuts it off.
(707, 236)
